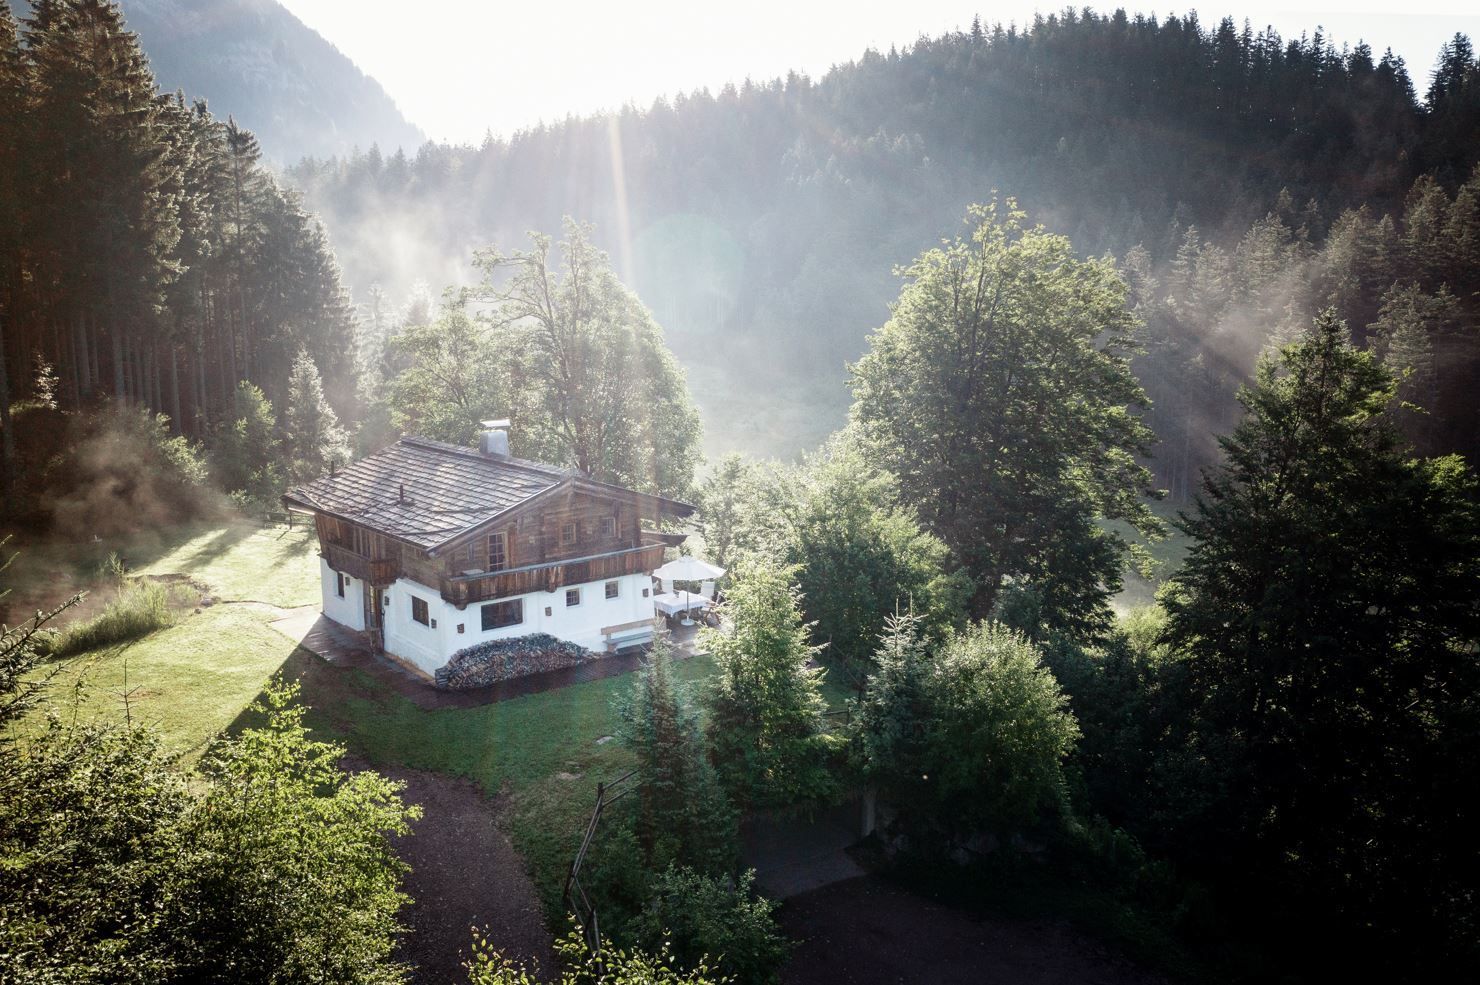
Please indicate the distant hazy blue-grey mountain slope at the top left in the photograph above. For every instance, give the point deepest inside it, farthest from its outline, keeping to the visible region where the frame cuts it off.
(267, 70)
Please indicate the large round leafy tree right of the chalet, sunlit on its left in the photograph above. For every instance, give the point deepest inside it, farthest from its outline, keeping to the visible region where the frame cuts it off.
(1001, 396)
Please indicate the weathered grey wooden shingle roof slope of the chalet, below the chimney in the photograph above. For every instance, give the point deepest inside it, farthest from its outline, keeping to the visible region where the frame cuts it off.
(427, 492)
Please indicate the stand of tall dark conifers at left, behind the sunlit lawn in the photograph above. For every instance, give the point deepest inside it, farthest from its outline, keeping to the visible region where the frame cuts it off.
(147, 257)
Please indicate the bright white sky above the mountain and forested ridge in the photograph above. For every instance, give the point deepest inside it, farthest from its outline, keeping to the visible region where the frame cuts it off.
(460, 69)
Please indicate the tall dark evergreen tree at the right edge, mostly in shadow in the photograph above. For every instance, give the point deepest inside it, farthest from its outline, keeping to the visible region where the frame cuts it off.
(1328, 610)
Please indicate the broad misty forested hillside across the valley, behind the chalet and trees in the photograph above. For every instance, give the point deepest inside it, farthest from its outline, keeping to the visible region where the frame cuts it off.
(761, 224)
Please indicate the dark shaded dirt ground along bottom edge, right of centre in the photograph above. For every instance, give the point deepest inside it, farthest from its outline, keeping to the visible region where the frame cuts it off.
(871, 932)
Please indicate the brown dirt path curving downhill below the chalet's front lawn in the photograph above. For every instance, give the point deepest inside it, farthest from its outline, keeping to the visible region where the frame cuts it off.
(464, 873)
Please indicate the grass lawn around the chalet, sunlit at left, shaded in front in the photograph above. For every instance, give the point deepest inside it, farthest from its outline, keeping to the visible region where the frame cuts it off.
(199, 678)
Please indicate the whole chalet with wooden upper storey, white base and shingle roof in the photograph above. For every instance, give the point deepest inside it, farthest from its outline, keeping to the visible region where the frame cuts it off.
(431, 548)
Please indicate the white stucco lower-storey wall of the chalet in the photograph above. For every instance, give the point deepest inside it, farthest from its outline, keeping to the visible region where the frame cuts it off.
(430, 647)
